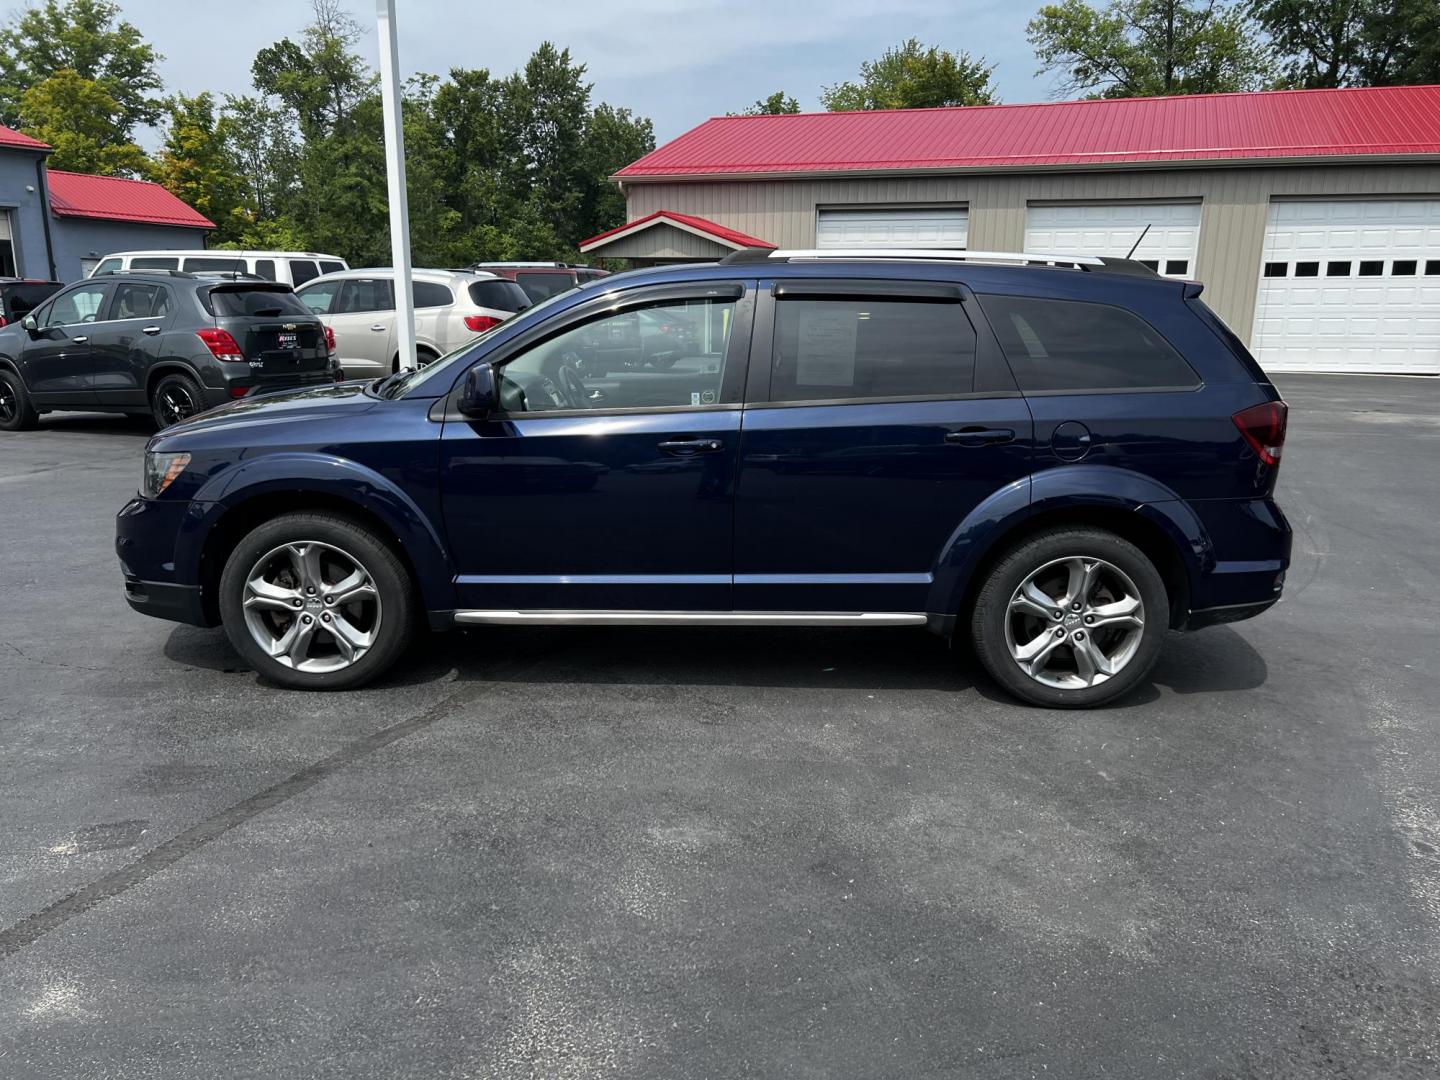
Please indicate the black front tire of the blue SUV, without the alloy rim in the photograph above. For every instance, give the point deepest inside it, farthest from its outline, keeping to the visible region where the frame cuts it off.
(379, 562)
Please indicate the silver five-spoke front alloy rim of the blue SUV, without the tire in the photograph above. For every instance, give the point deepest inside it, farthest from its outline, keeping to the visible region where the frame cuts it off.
(312, 607)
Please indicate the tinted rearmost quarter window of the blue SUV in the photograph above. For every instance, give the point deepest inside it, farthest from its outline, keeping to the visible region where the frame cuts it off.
(1069, 345)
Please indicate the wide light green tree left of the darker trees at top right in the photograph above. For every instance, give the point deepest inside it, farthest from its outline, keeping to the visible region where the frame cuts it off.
(1148, 48)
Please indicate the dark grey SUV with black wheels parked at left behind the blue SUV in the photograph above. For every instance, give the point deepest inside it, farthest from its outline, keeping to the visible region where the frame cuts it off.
(163, 343)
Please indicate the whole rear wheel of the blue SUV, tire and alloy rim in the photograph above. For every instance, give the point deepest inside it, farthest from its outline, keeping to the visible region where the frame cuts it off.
(1071, 618)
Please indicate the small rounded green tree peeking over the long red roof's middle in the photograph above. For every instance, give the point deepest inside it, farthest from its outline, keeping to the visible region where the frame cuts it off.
(914, 77)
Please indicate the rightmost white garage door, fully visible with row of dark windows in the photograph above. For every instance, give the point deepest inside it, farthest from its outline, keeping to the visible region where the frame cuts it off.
(1350, 286)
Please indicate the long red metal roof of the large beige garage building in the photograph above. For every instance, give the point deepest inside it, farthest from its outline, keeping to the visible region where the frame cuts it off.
(1209, 127)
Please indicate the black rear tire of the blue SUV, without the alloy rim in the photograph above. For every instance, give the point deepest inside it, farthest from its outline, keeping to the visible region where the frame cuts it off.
(993, 608)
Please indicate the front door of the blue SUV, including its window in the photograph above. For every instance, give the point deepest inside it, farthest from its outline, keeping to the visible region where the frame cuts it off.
(604, 489)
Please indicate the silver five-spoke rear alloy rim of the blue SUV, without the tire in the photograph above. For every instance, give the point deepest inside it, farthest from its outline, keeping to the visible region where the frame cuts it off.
(1075, 623)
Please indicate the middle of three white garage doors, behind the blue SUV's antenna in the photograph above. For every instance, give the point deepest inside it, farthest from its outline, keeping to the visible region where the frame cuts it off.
(1114, 228)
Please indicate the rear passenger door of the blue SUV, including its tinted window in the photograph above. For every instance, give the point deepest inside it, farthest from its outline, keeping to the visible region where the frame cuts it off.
(878, 424)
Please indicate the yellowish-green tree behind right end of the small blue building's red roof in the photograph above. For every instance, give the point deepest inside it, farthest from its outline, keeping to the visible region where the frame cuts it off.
(197, 165)
